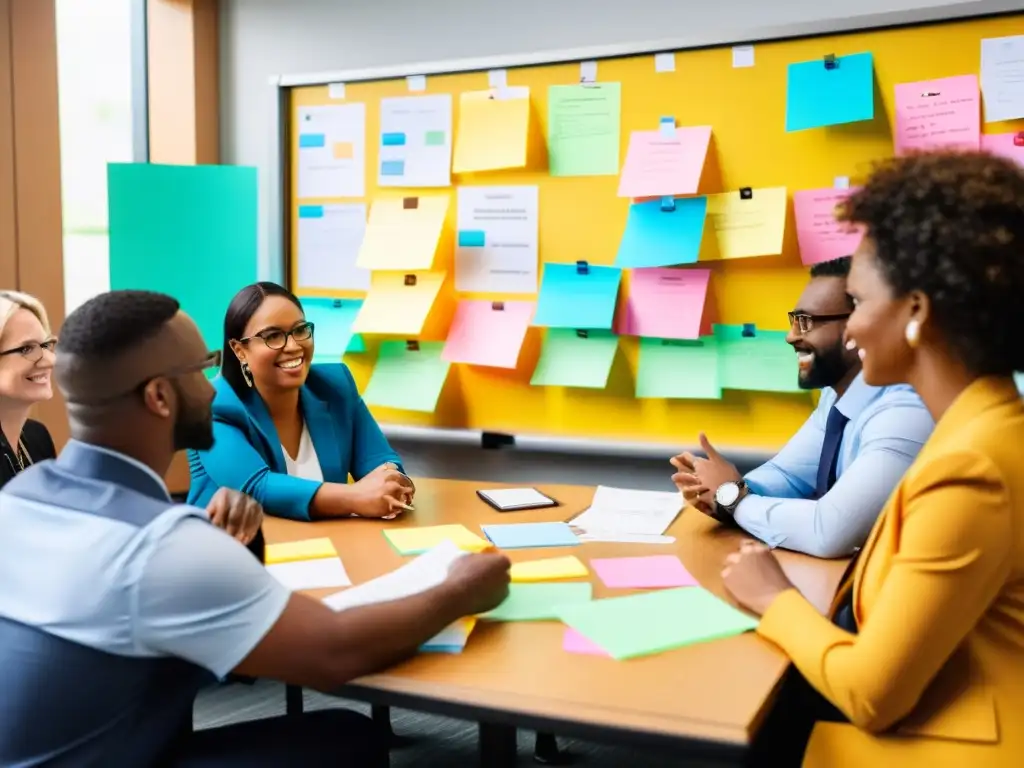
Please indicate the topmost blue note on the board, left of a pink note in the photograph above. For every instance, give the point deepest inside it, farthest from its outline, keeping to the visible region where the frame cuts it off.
(817, 96)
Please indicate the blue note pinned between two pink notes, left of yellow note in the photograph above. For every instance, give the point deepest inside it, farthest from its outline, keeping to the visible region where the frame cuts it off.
(656, 237)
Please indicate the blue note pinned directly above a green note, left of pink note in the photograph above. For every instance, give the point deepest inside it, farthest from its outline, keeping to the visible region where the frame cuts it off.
(572, 300)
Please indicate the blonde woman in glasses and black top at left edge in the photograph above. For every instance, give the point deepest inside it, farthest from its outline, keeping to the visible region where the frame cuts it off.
(26, 363)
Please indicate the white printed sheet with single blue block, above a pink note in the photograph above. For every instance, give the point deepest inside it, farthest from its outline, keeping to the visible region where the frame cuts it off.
(496, 248)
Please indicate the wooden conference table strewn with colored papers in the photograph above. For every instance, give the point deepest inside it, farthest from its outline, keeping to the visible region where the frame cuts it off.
(706, 701)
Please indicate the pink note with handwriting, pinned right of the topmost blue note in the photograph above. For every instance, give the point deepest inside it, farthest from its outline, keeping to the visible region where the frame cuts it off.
(938, 114)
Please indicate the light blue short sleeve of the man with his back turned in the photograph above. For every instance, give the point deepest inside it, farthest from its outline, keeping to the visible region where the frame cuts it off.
(202, 598)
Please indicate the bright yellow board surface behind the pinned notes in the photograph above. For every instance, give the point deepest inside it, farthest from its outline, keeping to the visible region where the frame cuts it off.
(583, 219)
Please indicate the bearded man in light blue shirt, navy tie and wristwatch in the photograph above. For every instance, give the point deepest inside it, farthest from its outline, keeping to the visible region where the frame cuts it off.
(823, 493)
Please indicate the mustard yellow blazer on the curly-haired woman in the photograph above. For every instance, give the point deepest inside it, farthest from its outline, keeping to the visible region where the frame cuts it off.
(936, 675)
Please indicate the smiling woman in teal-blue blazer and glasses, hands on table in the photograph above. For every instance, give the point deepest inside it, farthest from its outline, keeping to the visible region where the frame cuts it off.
(287, 435)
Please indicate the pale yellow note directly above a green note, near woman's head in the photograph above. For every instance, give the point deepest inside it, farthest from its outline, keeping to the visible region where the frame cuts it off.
(399, 304)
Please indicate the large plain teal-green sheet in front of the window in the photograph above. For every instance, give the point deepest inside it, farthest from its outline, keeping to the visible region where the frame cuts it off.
(186, 231)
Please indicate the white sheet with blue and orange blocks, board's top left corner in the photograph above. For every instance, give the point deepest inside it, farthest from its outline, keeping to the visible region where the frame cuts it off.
(332, 151)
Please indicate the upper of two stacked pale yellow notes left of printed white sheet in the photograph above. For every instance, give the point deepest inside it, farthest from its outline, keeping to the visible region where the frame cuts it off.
(403, 234)
